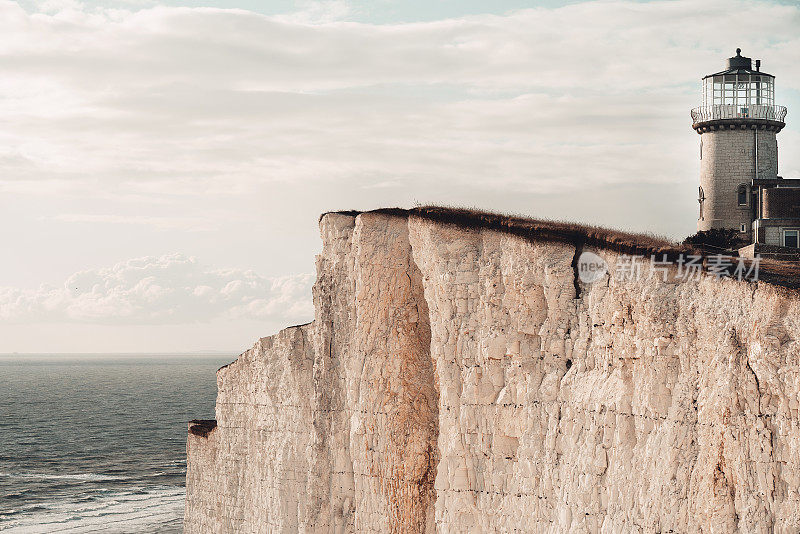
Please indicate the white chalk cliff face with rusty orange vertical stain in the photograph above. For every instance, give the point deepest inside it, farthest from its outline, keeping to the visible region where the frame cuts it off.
(457, 380)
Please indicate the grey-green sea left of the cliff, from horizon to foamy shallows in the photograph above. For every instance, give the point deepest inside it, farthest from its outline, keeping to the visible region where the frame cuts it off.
(97, 443)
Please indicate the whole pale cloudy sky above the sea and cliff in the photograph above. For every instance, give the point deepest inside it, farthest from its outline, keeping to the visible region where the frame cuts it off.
(163, 164)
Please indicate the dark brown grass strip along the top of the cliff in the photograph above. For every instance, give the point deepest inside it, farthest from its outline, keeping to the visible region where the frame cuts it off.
(779, 273)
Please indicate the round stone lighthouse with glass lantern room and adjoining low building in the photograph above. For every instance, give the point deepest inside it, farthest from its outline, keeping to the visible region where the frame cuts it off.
(740, 189)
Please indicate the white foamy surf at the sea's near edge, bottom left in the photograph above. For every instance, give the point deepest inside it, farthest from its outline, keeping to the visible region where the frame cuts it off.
(129, 511)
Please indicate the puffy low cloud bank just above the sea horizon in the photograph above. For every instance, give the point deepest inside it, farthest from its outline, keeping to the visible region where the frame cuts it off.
(171, 289)
